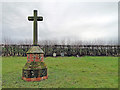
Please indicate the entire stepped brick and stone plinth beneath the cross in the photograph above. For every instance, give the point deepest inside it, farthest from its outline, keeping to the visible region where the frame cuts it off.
(35, 69)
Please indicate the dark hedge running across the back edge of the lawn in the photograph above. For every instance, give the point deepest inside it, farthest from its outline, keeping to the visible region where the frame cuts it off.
(67, 50)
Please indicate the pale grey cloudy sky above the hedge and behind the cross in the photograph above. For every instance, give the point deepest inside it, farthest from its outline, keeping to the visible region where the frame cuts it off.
(62, 20)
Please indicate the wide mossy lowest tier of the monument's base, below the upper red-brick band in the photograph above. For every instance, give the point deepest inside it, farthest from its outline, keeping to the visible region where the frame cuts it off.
(34, 71)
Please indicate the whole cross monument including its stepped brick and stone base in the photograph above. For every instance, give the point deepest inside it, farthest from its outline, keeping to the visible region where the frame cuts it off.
(35, 69)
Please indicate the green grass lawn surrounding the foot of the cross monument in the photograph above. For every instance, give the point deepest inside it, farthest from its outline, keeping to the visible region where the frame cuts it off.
(64, 72)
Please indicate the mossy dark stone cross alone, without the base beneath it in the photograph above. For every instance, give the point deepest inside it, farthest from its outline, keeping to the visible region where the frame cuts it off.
(35, 18)
